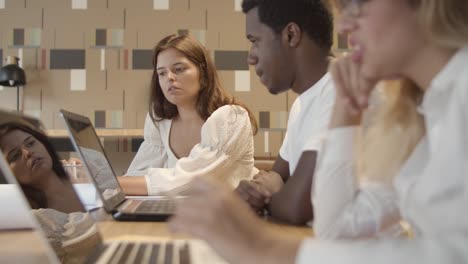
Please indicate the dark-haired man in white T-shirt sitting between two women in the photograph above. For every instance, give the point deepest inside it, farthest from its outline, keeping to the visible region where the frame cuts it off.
(290, 50)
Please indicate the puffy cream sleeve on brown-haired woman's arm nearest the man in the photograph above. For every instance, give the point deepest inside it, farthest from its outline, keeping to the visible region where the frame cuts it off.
(226, 139)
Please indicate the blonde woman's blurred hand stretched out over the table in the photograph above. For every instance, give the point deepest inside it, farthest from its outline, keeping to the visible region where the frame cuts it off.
(216, 214)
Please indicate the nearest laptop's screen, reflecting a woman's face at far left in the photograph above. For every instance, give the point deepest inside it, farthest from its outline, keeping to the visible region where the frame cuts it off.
(29, 162)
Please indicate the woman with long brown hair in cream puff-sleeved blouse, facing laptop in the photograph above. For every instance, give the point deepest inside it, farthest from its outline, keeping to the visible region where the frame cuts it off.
(194, 127)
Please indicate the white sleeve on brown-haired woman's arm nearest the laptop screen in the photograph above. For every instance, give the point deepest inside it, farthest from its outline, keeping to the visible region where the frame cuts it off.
(151, 153)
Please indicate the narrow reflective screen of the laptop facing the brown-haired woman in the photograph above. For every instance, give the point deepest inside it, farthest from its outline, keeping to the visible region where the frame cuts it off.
(89, 147)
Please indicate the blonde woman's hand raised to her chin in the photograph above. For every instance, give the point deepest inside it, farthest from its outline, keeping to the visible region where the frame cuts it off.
(352, 91)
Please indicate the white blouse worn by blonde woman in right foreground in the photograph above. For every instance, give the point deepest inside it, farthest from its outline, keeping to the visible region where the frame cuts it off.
(431, 190)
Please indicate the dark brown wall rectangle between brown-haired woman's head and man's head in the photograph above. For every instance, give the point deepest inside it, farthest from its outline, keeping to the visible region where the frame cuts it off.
(231, 60)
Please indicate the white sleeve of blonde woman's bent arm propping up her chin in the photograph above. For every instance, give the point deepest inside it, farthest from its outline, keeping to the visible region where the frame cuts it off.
(342, 207)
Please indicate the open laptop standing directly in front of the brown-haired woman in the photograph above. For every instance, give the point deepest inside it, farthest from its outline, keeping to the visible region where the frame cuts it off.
(89, 147)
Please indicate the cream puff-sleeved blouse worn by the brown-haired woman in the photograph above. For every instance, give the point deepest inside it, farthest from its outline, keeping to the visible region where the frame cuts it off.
(225, 151)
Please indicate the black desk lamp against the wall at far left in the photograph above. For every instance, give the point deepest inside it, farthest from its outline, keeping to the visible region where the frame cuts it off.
(11, 75)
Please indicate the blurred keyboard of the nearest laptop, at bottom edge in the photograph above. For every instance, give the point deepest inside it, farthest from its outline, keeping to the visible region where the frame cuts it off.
(162, 252)
